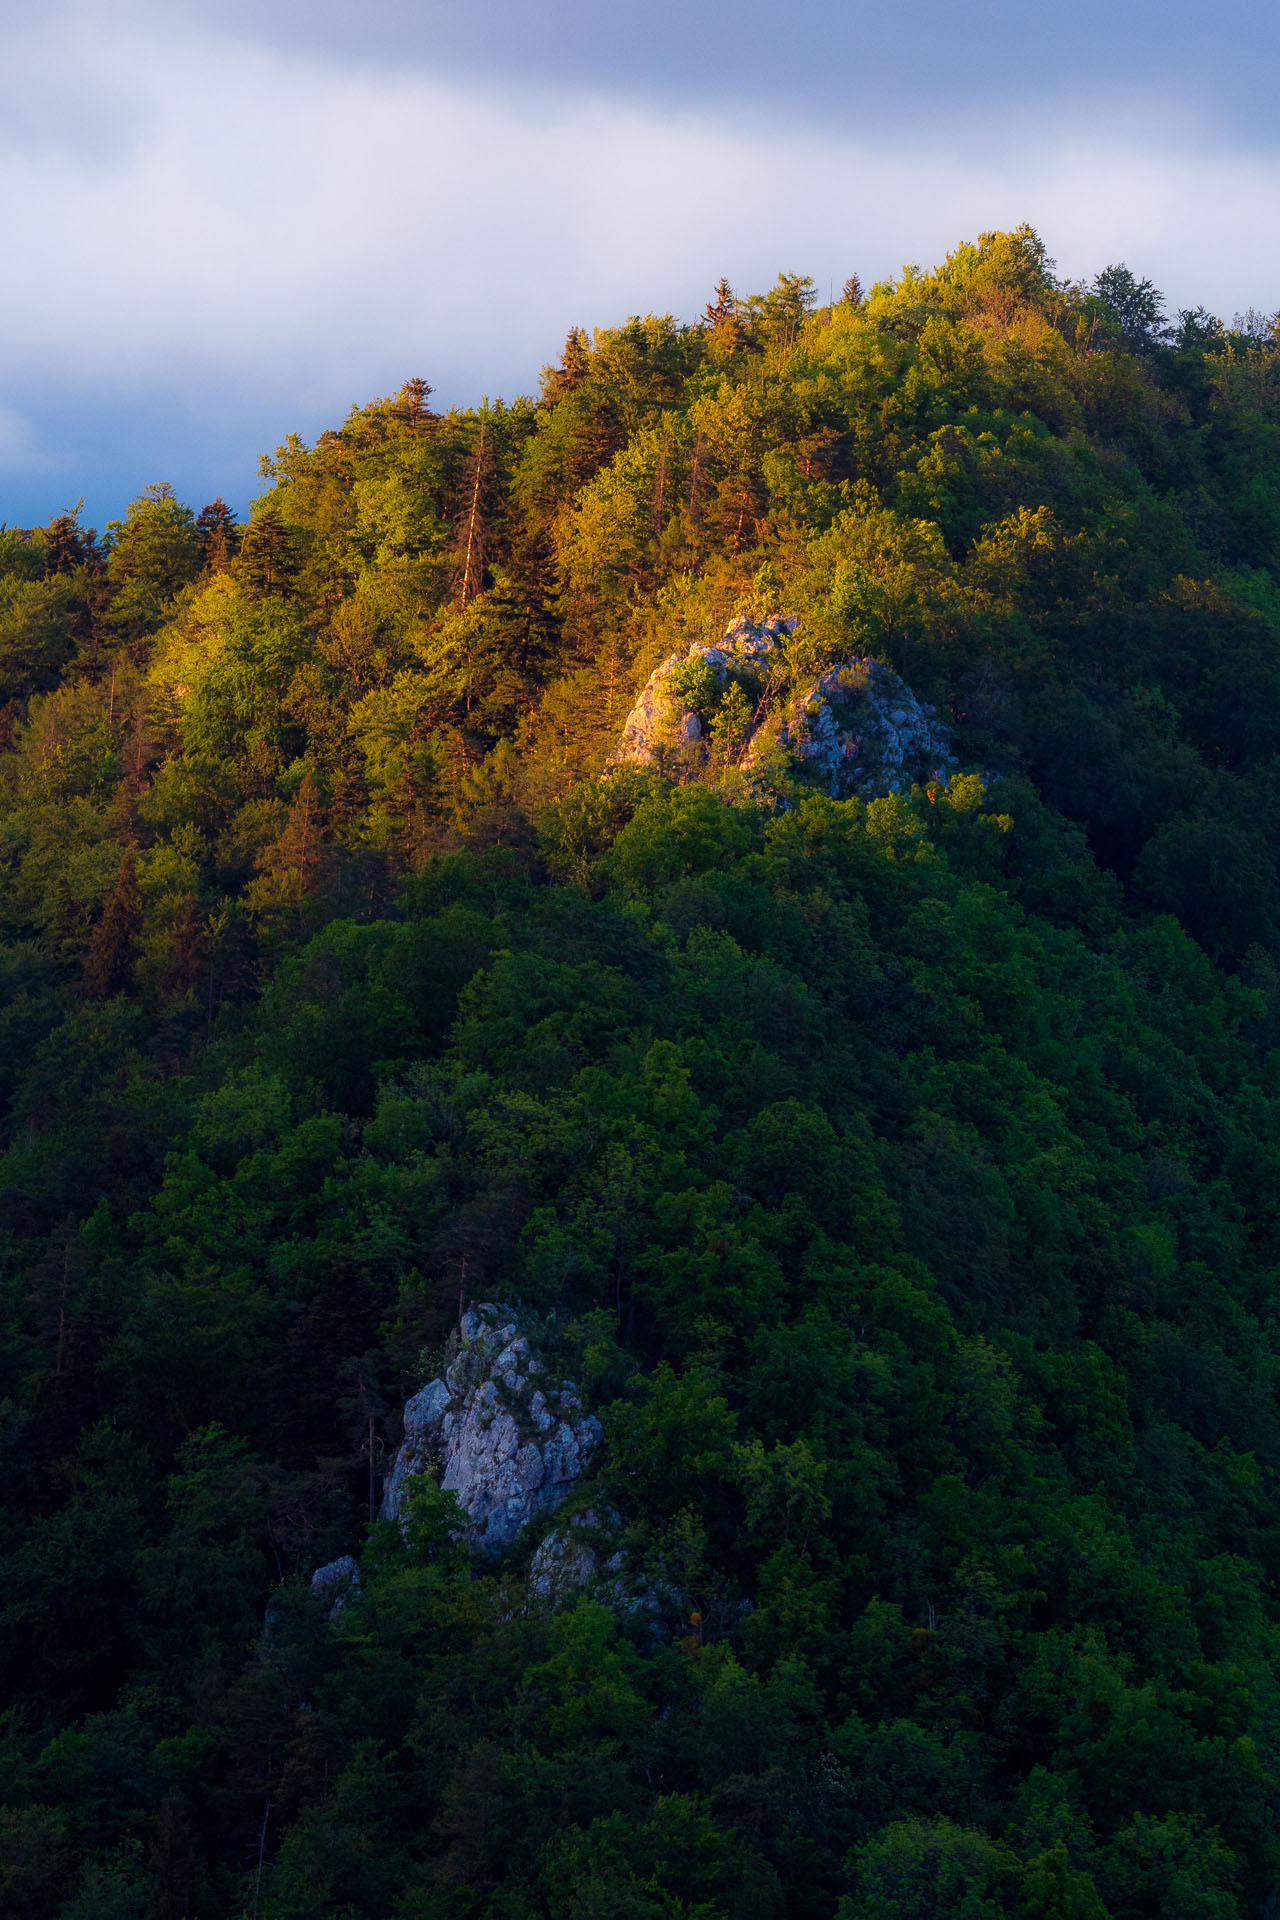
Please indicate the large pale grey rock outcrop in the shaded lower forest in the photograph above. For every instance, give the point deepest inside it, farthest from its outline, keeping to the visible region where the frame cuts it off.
(502, 1435)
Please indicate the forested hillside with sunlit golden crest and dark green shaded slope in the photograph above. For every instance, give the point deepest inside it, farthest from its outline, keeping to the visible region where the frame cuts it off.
(897, 1176)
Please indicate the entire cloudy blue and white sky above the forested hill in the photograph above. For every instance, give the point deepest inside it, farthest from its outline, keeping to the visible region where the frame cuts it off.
(224, 226)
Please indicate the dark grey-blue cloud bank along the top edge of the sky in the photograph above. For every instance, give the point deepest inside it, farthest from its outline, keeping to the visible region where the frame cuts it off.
(826, 59)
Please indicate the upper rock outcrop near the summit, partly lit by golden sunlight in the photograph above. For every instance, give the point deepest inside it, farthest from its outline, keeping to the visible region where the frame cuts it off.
(857, 729)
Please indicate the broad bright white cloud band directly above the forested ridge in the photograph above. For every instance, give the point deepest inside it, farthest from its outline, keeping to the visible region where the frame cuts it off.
(220, 239)
